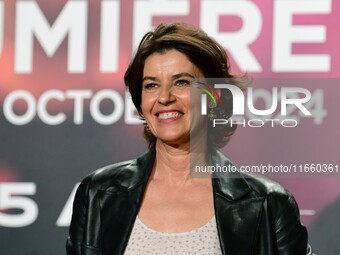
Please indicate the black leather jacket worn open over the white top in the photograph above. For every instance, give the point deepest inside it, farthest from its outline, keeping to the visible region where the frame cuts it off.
(253, 215)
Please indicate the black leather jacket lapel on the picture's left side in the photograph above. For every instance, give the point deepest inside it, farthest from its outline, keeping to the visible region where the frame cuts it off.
(119, 207)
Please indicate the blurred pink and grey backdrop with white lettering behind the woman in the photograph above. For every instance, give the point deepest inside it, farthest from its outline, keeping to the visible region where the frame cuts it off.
(64, 111)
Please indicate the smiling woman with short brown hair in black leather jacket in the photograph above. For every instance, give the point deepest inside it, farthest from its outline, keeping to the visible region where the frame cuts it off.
(152, 205)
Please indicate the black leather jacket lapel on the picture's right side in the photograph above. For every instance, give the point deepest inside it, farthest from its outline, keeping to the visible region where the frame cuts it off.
(237, 214)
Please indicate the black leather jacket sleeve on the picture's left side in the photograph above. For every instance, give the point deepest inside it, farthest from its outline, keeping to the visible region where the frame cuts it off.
(76, 231)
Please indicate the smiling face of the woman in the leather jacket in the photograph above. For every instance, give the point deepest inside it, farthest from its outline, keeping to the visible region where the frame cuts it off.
(166, 97)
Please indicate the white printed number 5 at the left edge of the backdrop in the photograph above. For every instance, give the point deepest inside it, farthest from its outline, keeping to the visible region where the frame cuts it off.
(10, 199)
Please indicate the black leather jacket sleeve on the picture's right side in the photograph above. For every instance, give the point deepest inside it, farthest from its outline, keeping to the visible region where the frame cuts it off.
(291, 235)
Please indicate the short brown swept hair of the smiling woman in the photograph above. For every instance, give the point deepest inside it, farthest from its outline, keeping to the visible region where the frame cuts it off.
(203, 51)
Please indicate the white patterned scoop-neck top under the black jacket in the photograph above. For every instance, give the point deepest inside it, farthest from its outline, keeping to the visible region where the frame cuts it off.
(146, 241)
